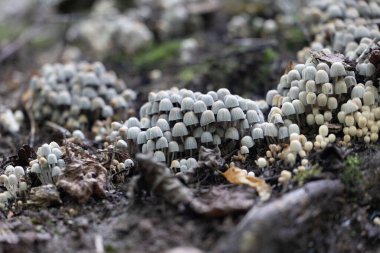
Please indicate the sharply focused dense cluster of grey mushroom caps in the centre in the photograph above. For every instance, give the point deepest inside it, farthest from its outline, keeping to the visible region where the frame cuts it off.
(174, 123)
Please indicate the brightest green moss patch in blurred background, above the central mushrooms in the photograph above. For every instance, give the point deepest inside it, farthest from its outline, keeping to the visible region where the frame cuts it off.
(157, 53)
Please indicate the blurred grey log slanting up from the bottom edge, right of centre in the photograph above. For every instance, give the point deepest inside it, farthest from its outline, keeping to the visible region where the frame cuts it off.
(268, 228)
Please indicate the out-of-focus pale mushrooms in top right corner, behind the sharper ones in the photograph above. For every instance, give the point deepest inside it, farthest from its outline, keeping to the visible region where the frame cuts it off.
(340, 26)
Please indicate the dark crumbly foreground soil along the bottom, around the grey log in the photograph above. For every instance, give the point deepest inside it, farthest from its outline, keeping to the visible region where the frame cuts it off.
(120, 224)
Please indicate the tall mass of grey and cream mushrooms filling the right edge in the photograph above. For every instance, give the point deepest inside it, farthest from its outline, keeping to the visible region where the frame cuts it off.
(329, 95)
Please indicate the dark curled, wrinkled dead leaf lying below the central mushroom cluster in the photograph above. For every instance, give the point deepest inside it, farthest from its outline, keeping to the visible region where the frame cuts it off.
(156, 178)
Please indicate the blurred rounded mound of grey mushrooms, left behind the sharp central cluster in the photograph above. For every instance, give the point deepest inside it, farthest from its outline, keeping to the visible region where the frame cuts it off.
(76, 95)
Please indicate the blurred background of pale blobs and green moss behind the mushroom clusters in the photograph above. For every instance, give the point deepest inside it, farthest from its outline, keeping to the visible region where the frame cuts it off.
(203, 45)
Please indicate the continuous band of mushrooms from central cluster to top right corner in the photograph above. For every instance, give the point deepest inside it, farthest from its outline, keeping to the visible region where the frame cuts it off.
(324, 100)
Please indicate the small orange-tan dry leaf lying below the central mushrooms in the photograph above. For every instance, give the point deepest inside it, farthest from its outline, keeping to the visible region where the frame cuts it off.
(238, 176)
